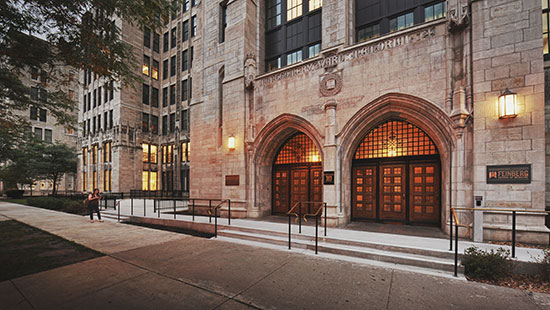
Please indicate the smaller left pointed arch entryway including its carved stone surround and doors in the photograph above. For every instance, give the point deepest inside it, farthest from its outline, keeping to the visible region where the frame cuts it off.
(283, 132)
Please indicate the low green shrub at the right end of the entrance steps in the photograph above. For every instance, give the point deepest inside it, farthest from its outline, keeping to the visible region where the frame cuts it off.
(489, 265)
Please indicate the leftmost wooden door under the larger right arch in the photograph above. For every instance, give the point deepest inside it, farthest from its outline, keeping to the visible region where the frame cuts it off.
(364, 192)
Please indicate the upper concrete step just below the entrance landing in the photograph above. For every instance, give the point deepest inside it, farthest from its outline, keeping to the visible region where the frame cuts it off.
(357, 243)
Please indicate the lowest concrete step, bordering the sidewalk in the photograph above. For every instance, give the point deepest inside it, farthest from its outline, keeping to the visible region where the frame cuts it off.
(421, 259)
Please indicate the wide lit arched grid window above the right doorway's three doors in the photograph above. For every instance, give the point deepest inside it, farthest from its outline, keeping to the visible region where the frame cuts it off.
(394, 139)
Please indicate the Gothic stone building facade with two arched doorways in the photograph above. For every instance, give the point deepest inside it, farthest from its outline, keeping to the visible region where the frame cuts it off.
(385, 110)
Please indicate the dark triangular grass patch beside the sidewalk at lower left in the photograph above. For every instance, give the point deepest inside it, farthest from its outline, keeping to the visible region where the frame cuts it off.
(26, 250)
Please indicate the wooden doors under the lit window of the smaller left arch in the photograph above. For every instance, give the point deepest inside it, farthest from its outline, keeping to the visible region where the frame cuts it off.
(294, 184)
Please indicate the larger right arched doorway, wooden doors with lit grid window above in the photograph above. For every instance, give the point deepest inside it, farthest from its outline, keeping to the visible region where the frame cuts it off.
(396, 176)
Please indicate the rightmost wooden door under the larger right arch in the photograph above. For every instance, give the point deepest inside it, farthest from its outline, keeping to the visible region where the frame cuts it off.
(424, 193)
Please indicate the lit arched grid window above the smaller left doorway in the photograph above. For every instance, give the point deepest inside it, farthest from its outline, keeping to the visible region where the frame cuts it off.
(298, 149)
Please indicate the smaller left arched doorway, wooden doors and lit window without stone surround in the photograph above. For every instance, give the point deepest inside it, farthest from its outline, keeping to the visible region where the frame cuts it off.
(297, 173)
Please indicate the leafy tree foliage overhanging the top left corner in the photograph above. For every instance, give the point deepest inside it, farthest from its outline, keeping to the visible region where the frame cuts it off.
(51, 35)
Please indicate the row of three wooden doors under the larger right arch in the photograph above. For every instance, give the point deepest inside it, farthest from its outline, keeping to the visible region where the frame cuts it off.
(407, 191)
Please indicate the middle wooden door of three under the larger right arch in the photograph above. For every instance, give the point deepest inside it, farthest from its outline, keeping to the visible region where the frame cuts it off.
(392, 192)
